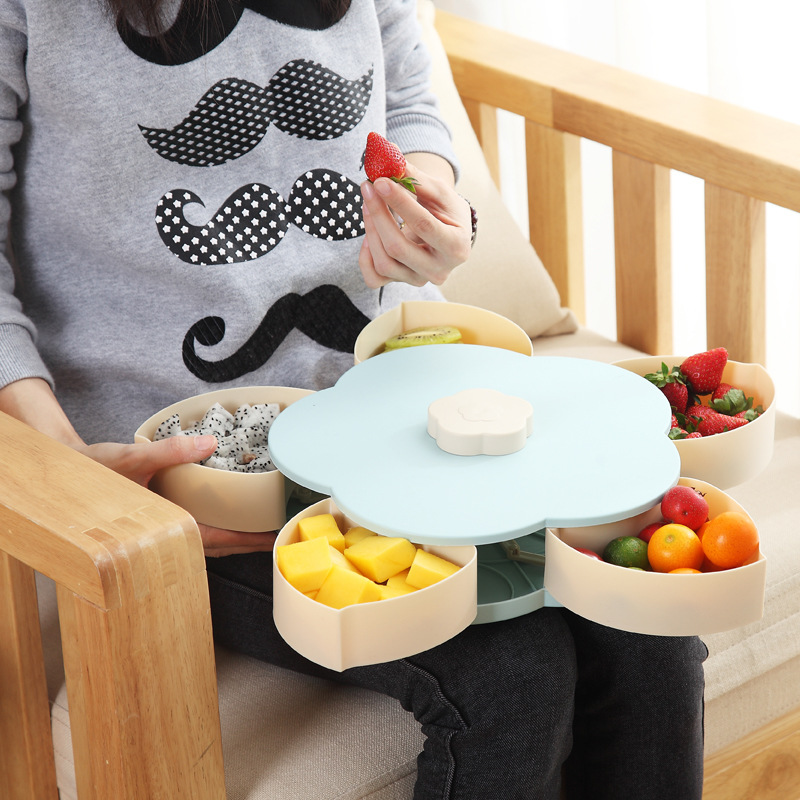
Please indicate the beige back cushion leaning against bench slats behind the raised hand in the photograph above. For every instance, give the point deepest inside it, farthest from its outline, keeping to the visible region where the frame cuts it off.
(502, 257)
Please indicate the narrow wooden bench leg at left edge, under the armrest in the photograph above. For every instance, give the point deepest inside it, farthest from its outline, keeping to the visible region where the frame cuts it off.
(27, 767)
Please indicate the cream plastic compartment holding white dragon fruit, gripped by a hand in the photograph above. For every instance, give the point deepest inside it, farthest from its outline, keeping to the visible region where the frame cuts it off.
(222, 499)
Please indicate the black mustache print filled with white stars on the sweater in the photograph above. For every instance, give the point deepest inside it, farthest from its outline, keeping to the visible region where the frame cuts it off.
(255, 218)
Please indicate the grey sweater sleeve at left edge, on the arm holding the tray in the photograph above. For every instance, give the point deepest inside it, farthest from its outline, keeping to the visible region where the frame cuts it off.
(18, 355)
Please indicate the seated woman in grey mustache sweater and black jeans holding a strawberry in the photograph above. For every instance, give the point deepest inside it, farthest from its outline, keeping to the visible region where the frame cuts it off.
(189, 207)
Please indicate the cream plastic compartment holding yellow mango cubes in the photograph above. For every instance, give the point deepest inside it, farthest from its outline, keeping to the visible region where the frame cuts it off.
(384, 630)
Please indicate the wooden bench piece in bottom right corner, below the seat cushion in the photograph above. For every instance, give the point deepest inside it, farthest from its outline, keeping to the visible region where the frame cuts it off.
(762, 766)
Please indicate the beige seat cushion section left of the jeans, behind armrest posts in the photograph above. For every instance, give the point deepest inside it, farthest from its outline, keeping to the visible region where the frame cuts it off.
(285, 736)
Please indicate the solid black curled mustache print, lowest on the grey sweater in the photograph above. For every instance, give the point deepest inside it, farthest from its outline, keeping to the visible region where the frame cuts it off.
(325, 314)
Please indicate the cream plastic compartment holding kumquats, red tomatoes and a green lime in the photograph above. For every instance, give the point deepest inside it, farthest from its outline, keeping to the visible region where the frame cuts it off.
(649, 602)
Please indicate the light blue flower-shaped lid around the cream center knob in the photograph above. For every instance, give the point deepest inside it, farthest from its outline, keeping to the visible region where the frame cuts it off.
(598, 451)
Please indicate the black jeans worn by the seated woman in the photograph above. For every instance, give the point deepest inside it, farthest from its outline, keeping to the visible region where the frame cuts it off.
(505, 706)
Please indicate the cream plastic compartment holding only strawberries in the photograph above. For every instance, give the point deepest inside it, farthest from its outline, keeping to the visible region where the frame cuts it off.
(725, 459)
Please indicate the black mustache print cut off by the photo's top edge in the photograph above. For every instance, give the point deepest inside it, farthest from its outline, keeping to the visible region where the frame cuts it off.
(199, 28)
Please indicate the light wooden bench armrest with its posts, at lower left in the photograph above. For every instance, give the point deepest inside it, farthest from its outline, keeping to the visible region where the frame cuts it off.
(135, 627)
